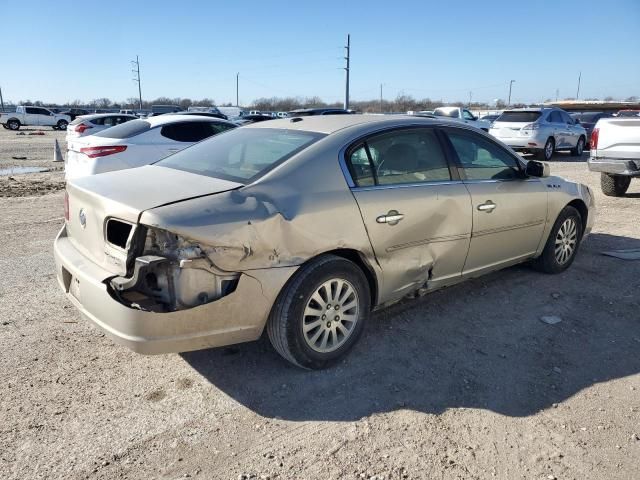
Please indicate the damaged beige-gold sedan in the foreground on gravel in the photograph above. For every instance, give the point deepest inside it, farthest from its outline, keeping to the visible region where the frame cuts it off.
(303, 226)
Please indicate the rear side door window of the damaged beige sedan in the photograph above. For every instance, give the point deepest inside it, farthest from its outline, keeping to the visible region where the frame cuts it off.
(399, 157)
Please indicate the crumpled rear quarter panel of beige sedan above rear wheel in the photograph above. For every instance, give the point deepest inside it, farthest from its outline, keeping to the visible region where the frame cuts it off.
(297, 211)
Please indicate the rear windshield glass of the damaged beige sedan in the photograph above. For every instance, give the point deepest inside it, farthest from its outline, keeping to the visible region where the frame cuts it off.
(242, 155)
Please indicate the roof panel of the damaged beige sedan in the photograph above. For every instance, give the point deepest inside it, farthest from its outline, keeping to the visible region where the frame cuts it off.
(332, 123)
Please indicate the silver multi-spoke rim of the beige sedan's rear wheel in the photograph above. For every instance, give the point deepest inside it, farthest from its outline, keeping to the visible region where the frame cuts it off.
(339, 298)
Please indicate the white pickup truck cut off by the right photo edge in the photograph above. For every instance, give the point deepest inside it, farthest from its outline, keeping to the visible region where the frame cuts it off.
(615, 153)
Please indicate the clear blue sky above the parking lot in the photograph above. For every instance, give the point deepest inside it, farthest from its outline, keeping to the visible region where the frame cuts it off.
(63, 50)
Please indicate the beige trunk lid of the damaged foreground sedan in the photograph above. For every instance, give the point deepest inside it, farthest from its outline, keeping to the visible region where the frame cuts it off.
(122, 196)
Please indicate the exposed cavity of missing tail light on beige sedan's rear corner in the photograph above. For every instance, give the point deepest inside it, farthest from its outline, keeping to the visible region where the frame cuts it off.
(170, 273)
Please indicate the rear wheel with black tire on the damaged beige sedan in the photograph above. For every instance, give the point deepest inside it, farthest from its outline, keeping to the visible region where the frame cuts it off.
(287, 320)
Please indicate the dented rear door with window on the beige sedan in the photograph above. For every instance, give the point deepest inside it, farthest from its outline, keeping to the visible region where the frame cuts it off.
(418, 218)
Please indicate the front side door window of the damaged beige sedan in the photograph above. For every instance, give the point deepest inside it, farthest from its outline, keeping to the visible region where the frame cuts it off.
(480, 159)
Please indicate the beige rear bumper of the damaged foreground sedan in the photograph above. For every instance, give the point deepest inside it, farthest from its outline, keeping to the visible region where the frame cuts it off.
(235, 318)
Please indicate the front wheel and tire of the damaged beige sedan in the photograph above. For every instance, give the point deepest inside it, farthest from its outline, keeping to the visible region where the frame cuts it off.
(563, 242)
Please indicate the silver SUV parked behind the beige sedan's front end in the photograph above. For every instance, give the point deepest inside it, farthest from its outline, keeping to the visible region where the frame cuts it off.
(540, 131)
